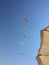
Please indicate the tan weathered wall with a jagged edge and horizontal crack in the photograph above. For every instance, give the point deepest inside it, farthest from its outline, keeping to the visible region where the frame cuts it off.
(43, 53)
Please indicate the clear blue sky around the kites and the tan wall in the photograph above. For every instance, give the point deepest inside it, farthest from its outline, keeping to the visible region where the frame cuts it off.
(12, 13)
